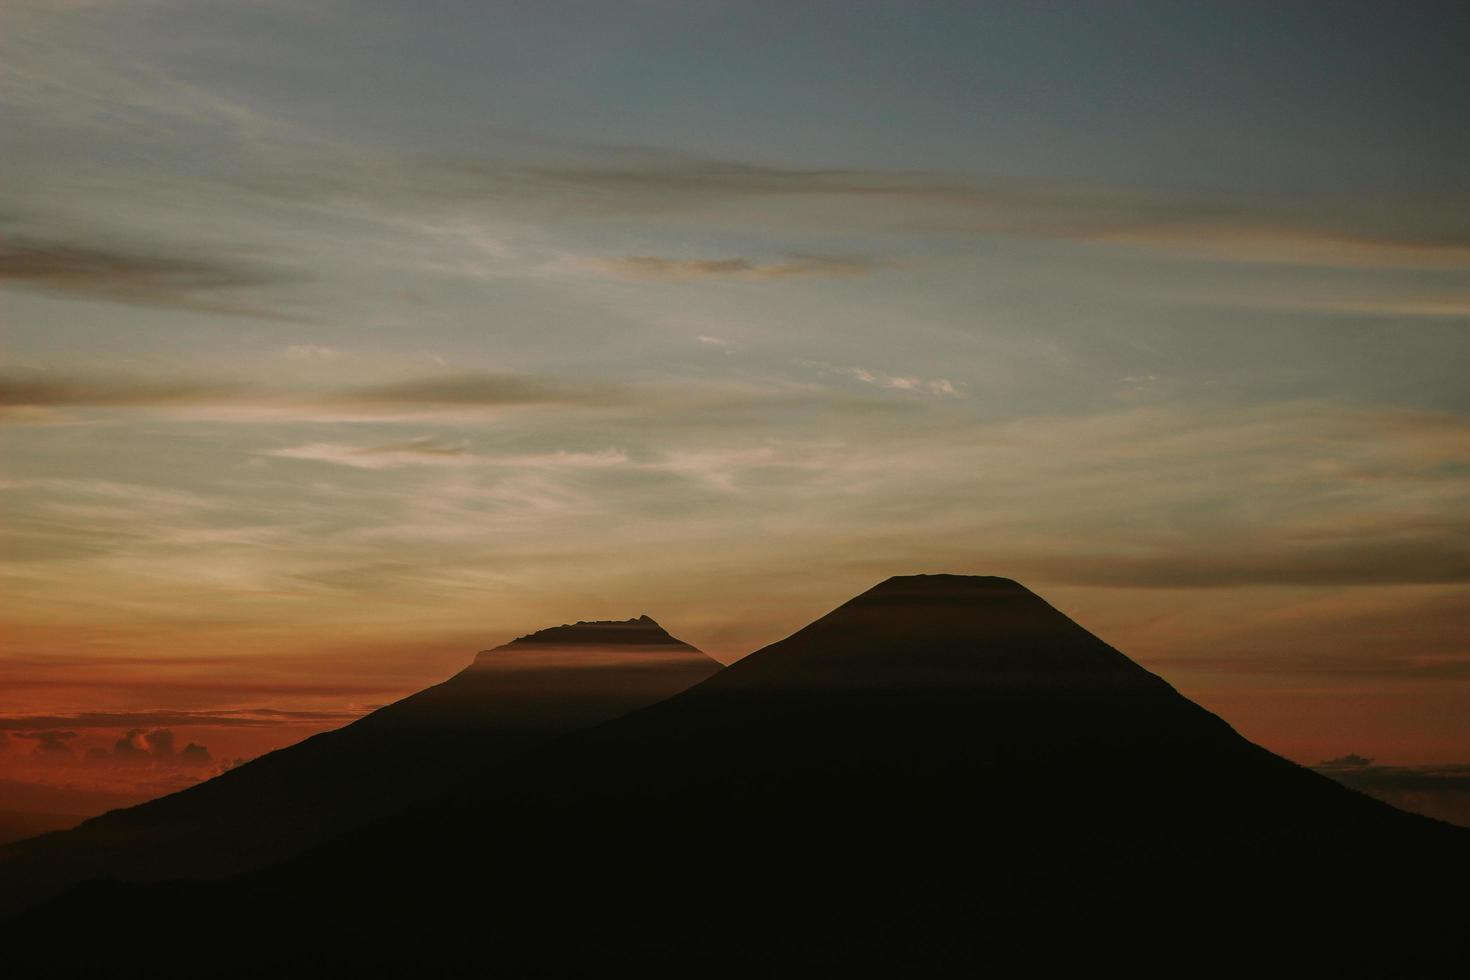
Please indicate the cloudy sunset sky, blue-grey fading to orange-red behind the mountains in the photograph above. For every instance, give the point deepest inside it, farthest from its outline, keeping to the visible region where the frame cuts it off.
(340, 340)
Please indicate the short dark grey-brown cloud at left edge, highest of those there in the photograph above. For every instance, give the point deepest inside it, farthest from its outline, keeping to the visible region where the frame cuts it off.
(137, 277)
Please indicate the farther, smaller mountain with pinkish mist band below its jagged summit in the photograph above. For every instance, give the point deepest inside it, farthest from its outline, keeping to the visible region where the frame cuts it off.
(506, 702)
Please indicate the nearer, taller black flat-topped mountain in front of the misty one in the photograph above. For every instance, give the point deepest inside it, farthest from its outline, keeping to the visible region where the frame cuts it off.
(944, 777)
